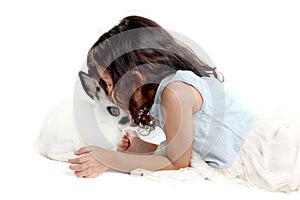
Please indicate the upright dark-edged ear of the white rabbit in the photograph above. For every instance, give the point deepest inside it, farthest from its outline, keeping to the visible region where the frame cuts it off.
(90, 85)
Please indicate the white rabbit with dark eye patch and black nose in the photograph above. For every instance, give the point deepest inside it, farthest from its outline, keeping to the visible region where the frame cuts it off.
(74, 124)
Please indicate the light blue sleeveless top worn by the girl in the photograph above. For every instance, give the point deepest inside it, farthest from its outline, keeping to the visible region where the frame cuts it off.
(220, 126)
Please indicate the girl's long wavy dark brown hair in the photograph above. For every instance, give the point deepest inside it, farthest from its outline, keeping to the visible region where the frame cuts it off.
(137, 47)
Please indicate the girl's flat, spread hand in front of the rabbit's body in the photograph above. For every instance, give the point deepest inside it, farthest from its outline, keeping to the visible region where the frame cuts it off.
(87, 166)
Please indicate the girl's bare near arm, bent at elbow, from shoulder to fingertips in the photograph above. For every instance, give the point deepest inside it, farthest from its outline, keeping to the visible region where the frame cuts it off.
(179, 101)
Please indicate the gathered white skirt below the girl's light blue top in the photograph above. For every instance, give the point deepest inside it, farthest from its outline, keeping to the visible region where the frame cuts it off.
(270, 157)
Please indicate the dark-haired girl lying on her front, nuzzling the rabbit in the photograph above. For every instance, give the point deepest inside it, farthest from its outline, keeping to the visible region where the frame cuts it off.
(159, 81)
